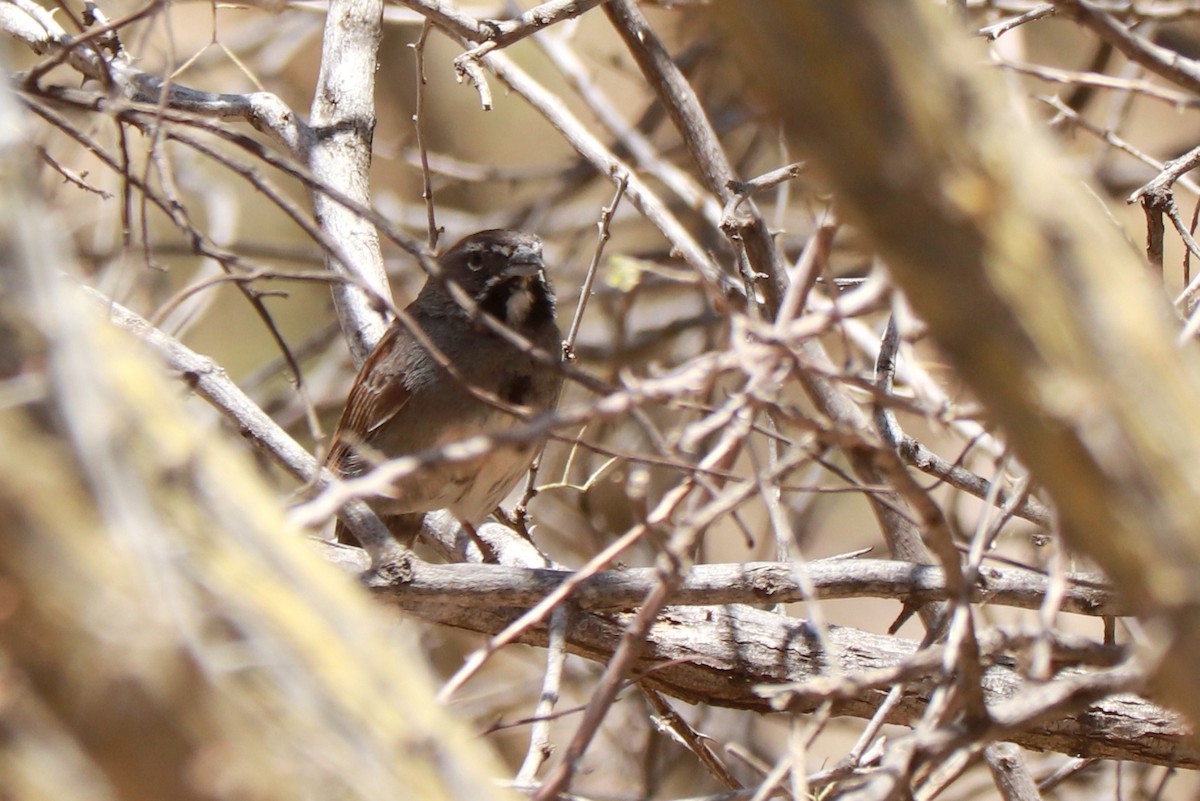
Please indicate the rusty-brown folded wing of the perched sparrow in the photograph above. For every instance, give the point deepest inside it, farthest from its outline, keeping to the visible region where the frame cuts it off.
(379, 395)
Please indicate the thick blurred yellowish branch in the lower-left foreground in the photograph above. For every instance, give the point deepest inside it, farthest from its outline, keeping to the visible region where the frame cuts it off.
(166, 634)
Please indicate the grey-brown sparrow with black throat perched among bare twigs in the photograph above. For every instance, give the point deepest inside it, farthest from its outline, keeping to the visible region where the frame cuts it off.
(406, 401)
